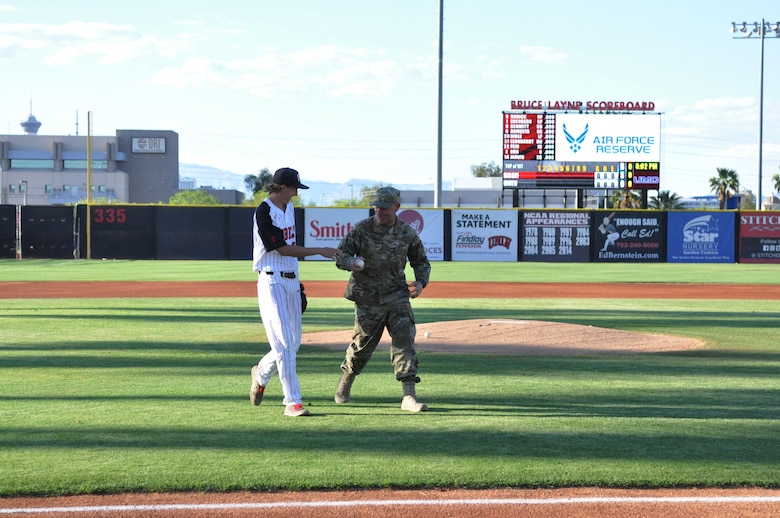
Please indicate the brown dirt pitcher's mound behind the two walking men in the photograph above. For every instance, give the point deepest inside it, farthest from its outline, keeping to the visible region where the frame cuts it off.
(520, 337)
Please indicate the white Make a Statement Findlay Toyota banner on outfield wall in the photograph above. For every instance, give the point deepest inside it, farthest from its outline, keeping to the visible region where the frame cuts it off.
(484, 235)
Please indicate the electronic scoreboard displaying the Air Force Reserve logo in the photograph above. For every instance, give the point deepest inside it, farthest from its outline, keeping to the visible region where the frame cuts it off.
(581, 150)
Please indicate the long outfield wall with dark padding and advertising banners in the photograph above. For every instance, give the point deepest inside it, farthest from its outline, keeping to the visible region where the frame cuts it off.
(485, 235)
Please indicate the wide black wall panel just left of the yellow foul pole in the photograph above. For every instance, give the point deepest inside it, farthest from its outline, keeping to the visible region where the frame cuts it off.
(47, 232)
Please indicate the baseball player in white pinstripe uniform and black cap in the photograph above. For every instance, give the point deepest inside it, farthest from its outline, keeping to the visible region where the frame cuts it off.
(275, 259)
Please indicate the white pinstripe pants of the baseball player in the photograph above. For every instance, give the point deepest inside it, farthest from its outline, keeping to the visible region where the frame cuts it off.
(279, 300)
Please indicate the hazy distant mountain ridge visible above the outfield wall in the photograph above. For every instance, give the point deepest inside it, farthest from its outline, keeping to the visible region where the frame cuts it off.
(319, 193)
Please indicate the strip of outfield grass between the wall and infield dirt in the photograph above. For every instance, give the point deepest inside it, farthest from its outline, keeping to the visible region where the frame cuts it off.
(66, 270)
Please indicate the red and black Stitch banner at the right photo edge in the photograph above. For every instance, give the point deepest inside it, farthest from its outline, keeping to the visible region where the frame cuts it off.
(759, 237)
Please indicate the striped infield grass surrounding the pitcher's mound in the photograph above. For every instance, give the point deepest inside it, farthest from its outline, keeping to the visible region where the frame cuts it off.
(151, 395)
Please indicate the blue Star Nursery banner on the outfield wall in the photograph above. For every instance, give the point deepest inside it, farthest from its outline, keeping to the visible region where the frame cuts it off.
(700, 237)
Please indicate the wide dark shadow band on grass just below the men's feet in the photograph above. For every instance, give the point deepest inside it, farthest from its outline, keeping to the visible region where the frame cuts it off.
(673, 445)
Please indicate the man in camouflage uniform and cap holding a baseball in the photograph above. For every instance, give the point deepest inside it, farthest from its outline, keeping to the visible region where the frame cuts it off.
(381, 294)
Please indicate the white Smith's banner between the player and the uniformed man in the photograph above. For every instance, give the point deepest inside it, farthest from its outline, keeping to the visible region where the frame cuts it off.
(326, 227)
